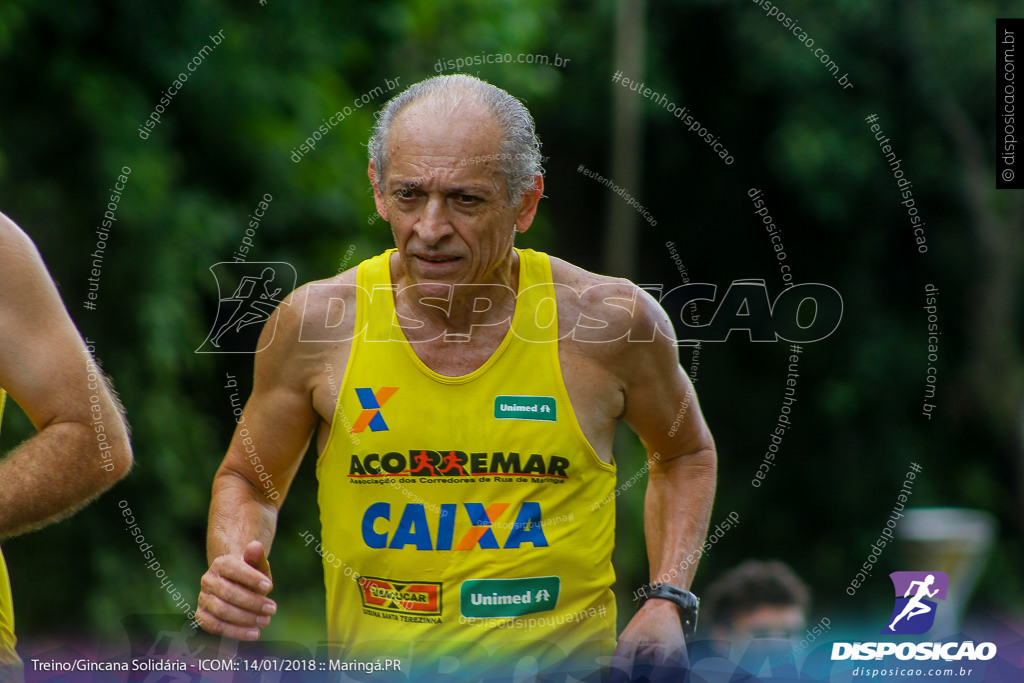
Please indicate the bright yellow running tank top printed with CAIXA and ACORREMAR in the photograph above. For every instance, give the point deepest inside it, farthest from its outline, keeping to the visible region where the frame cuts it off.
(458, 513)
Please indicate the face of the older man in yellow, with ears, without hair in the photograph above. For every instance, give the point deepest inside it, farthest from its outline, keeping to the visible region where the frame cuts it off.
(447, 200)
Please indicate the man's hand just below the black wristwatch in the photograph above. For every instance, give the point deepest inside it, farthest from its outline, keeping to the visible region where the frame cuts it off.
(655, 635)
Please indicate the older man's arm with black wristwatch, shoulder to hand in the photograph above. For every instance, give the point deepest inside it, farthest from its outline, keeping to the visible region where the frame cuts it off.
(662, 408)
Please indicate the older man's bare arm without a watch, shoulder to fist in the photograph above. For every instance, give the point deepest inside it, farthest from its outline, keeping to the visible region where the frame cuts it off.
(251, 484)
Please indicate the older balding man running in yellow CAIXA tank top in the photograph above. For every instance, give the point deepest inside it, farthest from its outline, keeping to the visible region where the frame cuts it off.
(463, 453)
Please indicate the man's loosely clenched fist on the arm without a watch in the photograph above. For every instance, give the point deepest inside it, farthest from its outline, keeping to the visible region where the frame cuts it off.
(233, 602)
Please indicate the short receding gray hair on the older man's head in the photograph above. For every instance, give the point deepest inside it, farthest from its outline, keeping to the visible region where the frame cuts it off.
(520, 157)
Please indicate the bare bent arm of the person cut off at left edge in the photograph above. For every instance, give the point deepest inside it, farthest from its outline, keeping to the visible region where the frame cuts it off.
(82, 446)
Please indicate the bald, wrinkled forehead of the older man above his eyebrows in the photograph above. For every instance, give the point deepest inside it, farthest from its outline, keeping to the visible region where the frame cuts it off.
(432, 140)
